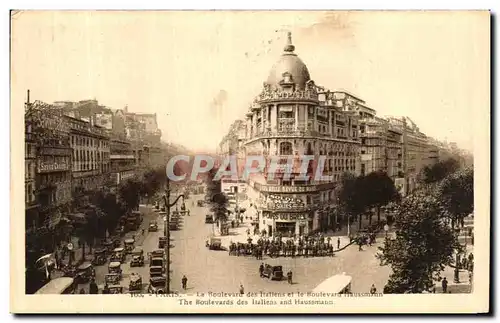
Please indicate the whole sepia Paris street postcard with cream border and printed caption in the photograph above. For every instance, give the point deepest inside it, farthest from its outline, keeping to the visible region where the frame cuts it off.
(250, 162)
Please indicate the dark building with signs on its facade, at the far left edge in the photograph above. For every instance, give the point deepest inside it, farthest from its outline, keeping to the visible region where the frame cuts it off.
(48, 184)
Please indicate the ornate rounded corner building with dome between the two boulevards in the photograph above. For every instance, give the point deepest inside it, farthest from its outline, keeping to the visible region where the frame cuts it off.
(293, 117)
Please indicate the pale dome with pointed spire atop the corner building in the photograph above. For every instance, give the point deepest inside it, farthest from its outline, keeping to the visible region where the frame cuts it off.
(289, 63)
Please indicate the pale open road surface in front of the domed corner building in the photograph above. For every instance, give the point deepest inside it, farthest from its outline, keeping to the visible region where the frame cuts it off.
(216, 271)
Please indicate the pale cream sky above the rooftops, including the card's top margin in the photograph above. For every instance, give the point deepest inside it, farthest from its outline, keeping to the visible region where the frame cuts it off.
(199, 71)
